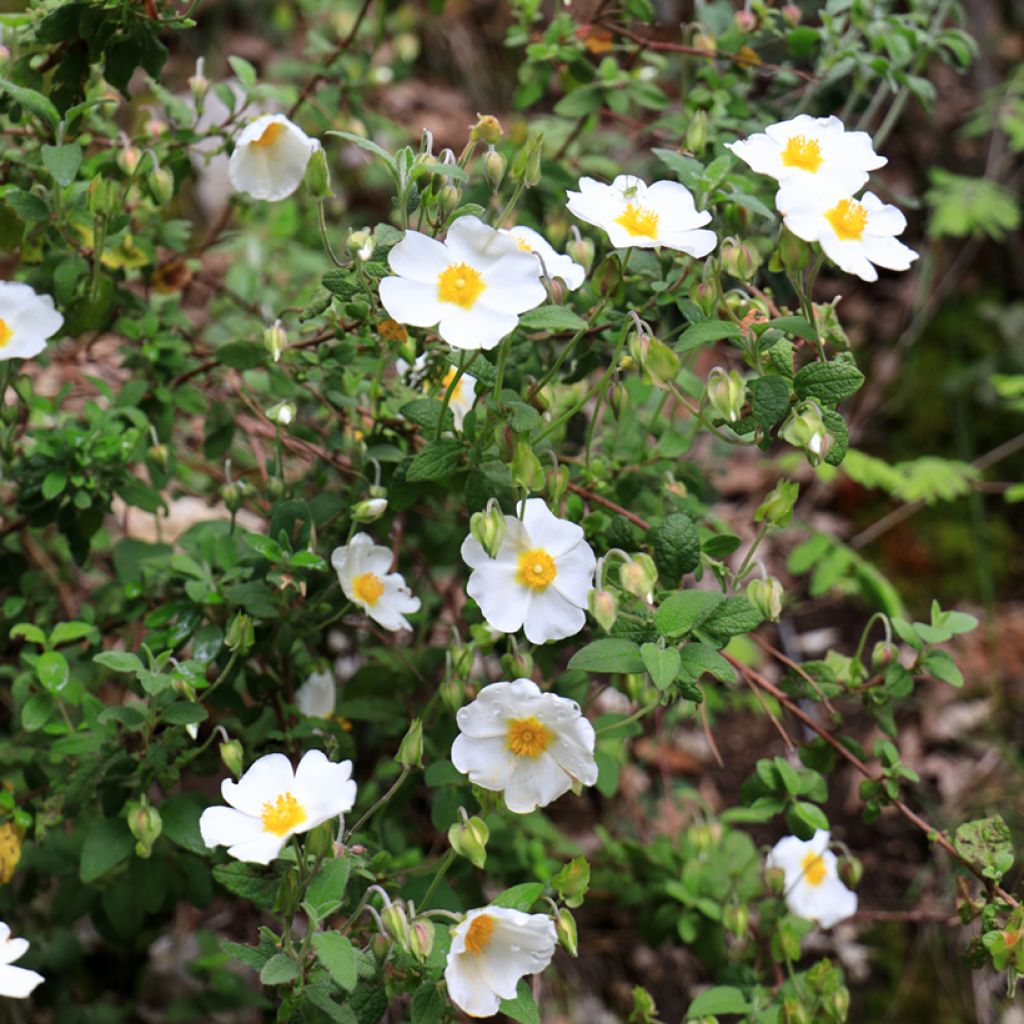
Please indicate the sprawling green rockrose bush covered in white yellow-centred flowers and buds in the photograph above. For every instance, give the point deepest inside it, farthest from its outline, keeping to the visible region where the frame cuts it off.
(364, 530)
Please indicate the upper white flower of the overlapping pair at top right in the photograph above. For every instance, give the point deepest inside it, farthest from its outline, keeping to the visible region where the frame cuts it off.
(810, 151)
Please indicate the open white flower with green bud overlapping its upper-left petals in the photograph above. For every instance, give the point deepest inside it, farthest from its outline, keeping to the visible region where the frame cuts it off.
(540, 580)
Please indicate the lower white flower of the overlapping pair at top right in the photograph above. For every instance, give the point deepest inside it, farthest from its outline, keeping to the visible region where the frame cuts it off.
(854, 234)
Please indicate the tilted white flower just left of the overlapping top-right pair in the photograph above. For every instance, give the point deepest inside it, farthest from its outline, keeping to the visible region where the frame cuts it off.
(634, 214)
